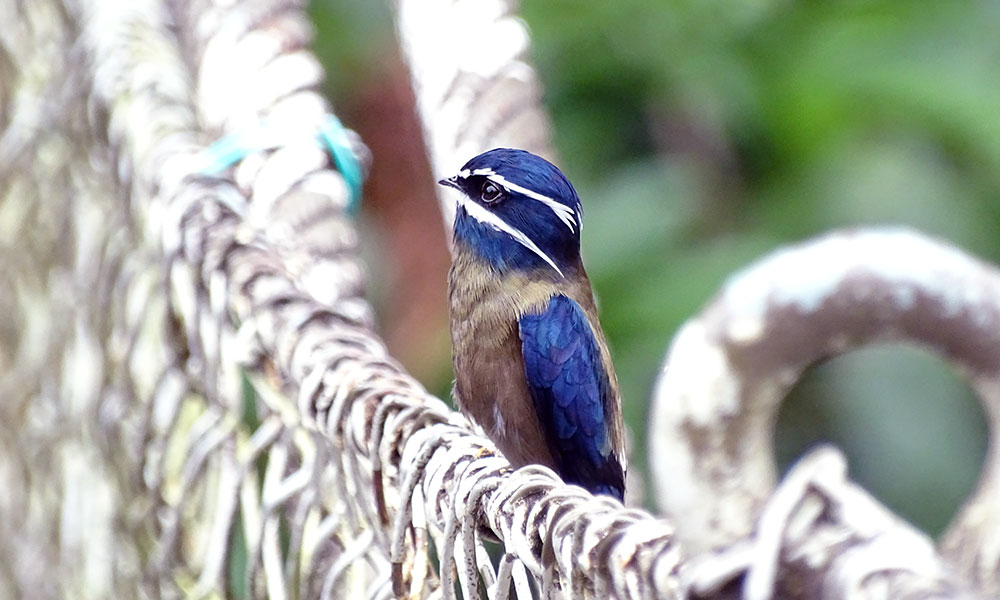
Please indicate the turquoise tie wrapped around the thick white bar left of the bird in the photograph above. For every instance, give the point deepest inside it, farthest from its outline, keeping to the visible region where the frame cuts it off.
(231, 149)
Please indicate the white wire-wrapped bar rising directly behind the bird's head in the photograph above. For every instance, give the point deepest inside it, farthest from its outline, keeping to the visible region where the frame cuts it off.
(475, 87)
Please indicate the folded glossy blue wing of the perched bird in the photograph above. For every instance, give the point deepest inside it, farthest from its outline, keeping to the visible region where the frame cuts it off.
(571, 390)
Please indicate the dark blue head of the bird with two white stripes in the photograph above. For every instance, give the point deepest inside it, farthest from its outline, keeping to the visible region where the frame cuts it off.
(517, 212)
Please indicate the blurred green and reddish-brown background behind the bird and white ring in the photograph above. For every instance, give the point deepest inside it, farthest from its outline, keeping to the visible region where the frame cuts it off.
(702, 134)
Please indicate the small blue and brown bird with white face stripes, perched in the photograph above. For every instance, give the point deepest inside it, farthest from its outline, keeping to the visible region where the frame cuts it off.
(532, 366)
